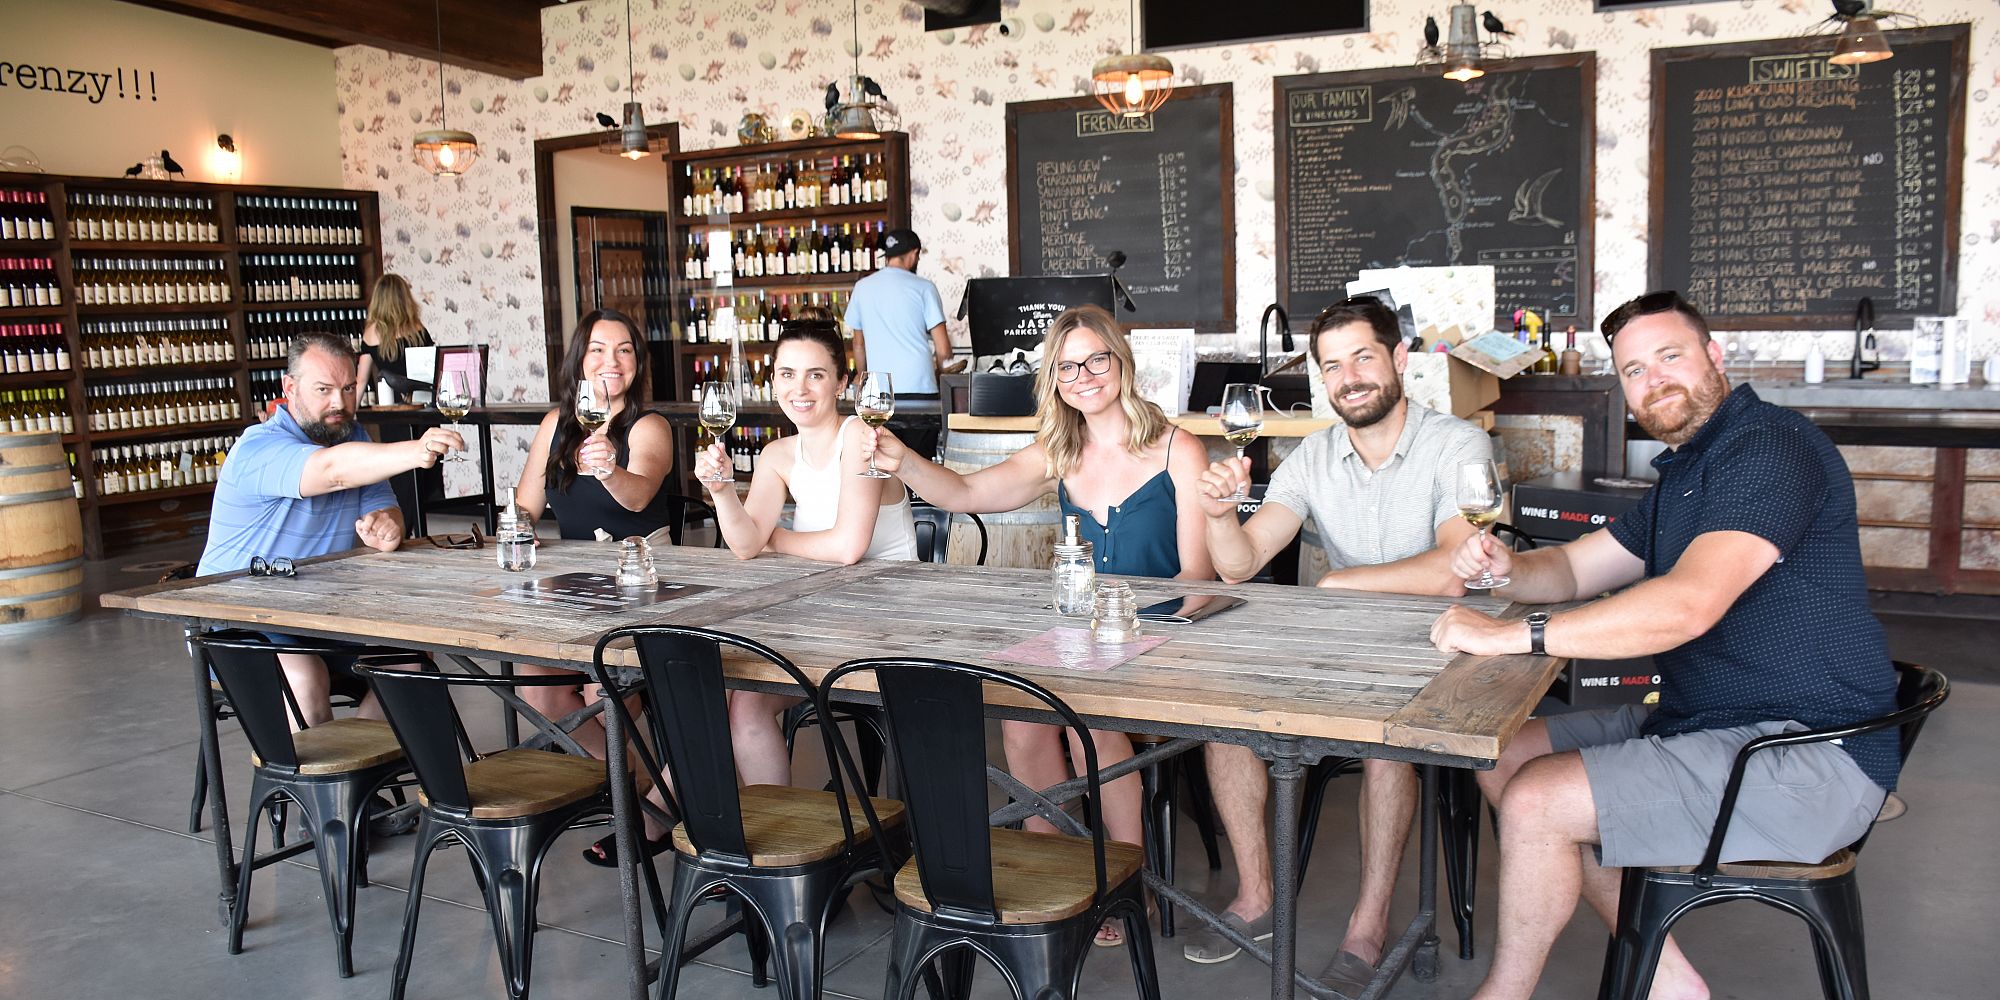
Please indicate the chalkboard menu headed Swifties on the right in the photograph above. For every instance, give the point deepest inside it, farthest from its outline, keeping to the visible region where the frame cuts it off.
(1785, 189)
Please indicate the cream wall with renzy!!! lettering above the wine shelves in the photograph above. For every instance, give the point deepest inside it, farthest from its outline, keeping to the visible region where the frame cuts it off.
(185, 81)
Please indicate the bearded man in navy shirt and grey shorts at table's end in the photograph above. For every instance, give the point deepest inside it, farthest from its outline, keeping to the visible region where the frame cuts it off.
(1743, 579)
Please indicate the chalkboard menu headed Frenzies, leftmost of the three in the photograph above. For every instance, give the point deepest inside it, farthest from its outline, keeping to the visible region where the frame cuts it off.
(1161, 189)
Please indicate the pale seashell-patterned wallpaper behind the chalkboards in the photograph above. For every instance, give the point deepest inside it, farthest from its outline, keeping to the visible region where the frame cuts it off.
(469, 245)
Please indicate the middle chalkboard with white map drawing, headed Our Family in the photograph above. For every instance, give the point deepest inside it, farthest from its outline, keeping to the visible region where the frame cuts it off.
(1401, 167)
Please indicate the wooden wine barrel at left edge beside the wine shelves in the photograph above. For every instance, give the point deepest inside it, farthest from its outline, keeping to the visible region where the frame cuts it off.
(41, 535)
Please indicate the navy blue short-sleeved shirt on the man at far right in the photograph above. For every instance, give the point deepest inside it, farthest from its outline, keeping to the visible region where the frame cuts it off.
(1801, 645)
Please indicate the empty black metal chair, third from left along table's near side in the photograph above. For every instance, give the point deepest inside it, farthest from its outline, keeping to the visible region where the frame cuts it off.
(787, 853)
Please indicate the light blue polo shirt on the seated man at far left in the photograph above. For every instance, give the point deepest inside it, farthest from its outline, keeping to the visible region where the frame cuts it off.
(259, 513)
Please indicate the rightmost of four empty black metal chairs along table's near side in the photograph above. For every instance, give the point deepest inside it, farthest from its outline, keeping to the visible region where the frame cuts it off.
(1029, 903)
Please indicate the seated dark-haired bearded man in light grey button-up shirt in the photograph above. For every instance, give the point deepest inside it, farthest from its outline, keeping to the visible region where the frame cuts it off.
(1383, 491)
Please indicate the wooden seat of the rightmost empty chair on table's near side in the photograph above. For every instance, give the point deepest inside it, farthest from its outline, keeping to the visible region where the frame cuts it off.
(1039, 877)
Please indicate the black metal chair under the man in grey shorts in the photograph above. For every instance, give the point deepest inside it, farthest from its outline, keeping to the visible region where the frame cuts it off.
(1823, 895)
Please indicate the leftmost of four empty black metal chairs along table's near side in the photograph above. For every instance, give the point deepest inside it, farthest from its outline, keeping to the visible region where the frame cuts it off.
(329, 771)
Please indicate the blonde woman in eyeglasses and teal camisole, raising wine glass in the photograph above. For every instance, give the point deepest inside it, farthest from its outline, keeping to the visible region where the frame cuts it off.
(1113, 459)
